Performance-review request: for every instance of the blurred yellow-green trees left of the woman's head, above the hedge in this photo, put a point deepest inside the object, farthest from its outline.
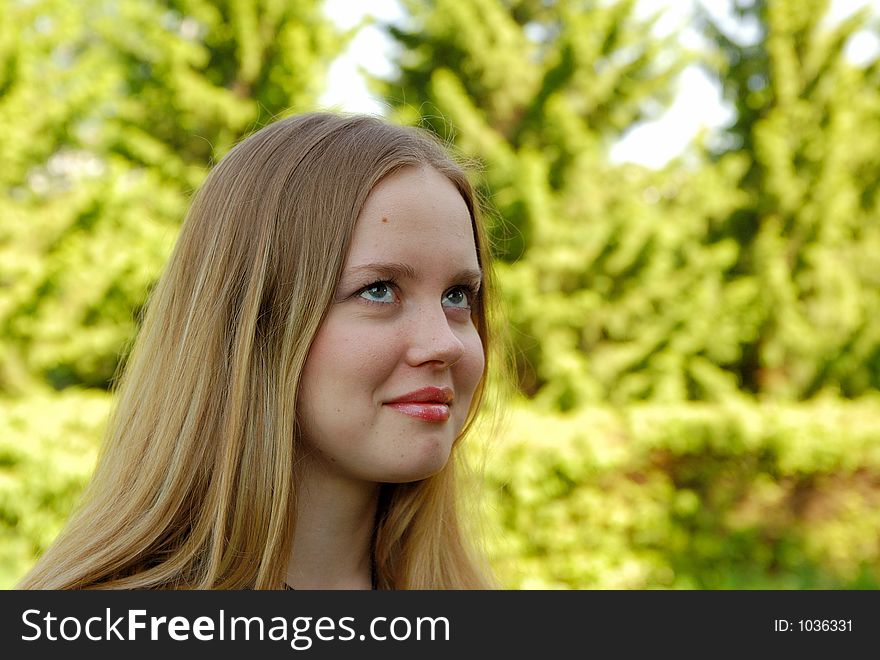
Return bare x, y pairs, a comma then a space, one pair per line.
111, 111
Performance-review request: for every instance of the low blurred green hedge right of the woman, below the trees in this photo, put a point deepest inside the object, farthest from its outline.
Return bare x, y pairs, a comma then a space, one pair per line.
706, 496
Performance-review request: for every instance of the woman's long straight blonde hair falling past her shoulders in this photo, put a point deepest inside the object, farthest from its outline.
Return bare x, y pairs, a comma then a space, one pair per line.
194, 487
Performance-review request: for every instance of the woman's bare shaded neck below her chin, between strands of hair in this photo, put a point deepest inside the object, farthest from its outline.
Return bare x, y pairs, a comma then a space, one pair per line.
332, 542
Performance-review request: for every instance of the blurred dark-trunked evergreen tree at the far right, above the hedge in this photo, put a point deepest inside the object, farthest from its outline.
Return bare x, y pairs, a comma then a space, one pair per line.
807, 135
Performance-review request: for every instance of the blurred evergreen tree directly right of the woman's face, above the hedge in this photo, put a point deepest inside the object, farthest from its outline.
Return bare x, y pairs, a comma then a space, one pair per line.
613, 284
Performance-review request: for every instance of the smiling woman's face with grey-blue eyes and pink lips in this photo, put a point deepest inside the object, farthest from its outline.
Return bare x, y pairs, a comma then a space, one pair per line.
393, 368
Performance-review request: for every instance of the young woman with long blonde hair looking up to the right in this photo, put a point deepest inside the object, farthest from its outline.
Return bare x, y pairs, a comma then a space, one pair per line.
308, 367
